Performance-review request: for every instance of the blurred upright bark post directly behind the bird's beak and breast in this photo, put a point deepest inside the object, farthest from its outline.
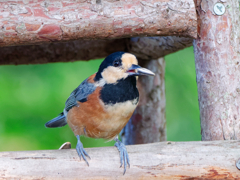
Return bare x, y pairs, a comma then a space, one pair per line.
148, 123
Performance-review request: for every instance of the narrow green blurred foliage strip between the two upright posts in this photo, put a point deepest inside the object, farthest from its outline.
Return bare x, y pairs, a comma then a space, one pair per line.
182, 111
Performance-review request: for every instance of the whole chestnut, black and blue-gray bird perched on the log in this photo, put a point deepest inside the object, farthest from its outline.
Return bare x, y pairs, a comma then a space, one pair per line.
102, 104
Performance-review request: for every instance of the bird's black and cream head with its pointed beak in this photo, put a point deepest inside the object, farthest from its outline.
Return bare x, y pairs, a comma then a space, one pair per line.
120, 65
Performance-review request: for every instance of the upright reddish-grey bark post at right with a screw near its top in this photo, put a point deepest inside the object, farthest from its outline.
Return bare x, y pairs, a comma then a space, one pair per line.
218, 70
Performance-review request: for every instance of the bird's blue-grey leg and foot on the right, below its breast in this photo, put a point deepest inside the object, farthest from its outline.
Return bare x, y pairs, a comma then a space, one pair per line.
124, 159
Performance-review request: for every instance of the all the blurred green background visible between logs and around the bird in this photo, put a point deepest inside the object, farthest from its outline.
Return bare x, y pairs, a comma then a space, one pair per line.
30, 95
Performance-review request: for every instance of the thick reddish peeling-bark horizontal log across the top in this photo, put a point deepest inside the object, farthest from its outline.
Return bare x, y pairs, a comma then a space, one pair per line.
31, 22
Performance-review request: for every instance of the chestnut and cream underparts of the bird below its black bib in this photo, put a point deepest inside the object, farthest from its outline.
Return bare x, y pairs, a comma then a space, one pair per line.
94, 119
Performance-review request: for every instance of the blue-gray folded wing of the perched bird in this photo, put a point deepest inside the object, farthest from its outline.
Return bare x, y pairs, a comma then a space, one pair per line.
80, 94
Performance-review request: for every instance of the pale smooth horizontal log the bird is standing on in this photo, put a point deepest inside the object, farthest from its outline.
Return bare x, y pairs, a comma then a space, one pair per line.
166, 160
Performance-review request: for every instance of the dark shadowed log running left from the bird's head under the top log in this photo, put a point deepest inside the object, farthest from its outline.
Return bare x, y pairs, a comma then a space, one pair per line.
60, 52
